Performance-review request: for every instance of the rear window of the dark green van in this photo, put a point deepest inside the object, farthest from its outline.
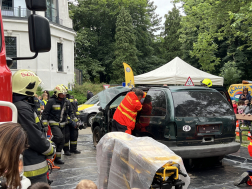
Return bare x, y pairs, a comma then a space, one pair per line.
200, 104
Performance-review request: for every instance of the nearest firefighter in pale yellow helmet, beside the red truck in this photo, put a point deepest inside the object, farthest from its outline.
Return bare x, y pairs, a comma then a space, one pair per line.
24, 86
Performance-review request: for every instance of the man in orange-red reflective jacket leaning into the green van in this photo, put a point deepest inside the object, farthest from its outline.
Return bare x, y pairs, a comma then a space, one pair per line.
125, 115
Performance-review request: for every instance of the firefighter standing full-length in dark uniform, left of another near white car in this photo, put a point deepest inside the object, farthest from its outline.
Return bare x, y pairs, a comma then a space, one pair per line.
55, 114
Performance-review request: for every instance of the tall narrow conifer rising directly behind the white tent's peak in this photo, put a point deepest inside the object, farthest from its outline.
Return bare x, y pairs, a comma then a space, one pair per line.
172, 46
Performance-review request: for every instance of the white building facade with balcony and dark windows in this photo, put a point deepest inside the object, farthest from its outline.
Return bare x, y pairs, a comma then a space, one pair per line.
54, 67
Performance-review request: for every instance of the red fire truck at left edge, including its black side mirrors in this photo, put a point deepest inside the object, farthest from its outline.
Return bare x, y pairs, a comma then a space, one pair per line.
40, 41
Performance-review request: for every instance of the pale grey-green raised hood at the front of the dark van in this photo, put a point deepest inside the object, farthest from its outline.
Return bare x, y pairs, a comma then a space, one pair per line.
107, 95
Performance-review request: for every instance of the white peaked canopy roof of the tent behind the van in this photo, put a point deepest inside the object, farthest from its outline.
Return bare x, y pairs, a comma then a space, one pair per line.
176, 72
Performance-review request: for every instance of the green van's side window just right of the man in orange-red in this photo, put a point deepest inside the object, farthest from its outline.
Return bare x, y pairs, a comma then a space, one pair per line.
156, 101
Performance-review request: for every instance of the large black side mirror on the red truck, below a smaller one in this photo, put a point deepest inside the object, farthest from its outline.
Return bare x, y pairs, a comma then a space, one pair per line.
39, 34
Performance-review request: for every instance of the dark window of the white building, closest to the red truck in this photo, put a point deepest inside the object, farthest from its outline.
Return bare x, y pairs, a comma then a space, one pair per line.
11, 49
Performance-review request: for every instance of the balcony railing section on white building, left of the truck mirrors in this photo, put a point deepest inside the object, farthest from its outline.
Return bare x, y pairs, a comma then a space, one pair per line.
15, 11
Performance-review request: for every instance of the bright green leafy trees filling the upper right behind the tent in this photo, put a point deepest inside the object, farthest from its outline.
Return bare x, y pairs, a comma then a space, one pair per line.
215, 33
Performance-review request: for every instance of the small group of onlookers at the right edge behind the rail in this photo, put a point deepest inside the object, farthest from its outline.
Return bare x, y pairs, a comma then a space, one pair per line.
244, 106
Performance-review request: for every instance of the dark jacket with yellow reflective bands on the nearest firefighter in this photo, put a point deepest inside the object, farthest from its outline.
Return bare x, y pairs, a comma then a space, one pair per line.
39, 147
